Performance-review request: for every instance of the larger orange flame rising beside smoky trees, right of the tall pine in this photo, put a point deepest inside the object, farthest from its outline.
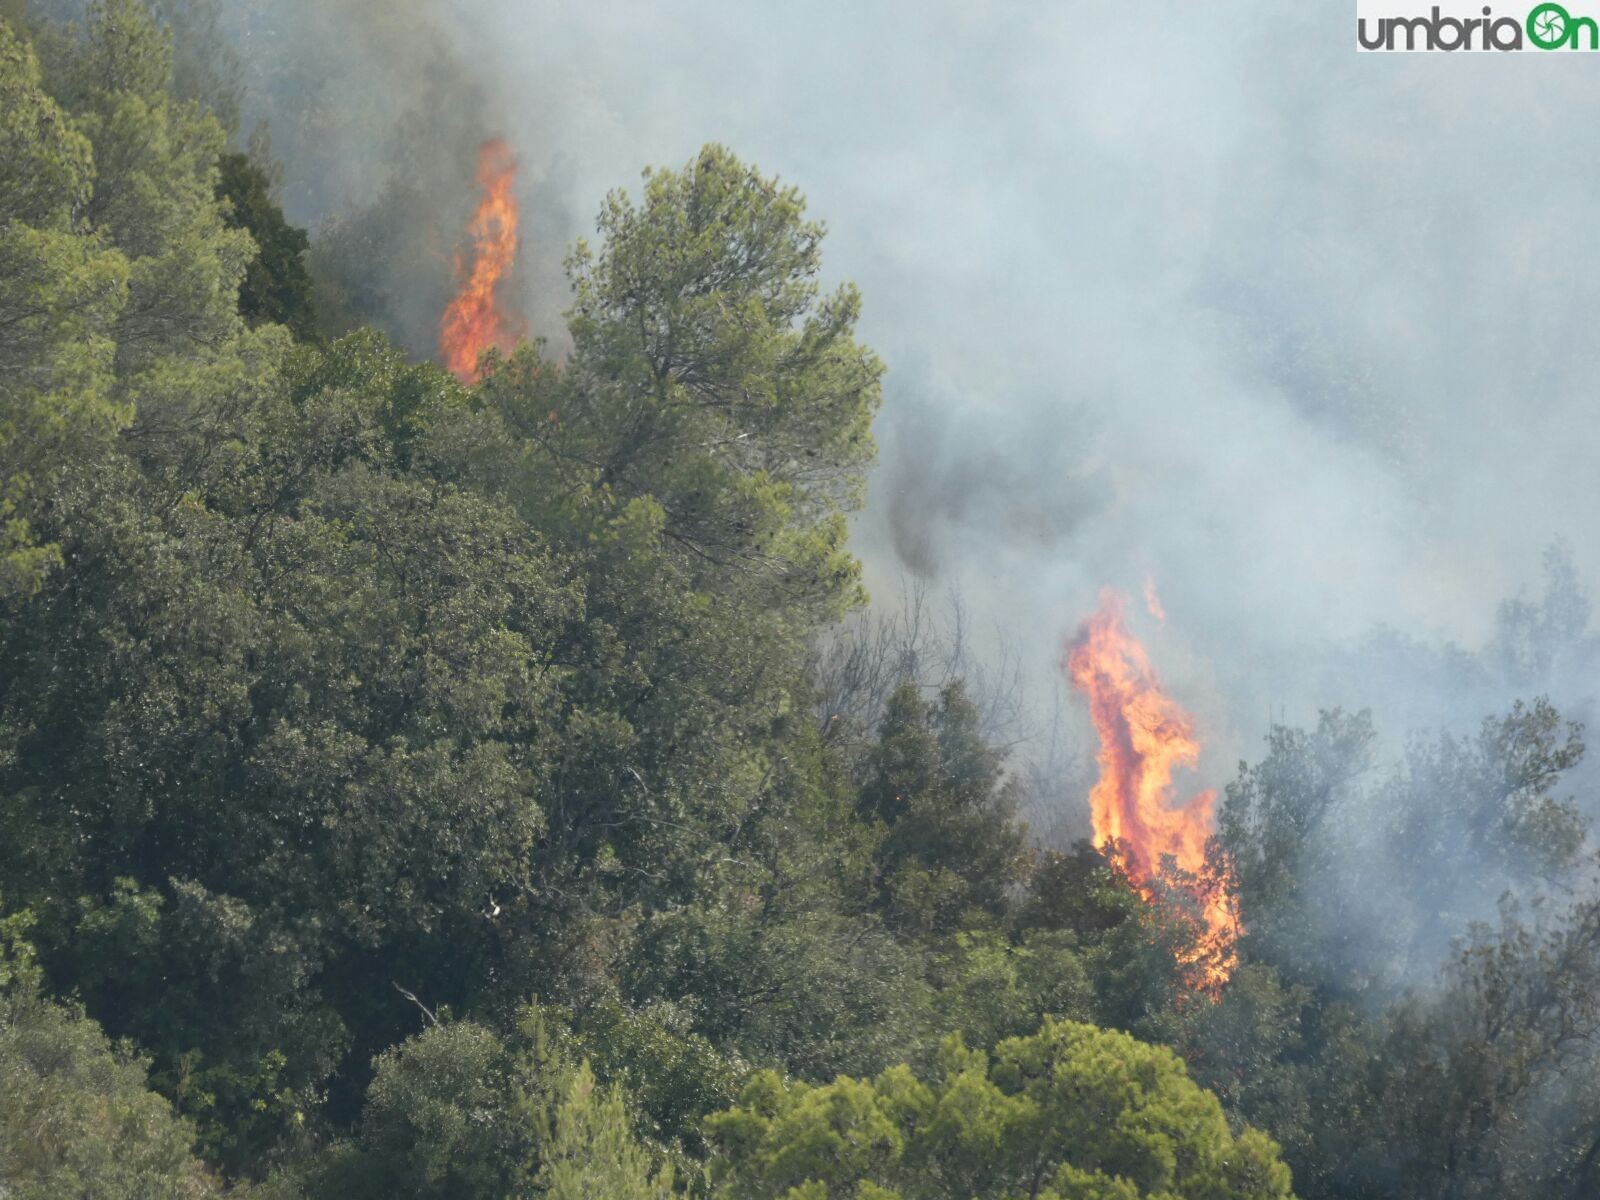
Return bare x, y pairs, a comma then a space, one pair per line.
1145, 735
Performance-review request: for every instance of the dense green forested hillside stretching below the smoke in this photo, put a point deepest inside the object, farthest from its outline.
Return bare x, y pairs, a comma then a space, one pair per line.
423, 790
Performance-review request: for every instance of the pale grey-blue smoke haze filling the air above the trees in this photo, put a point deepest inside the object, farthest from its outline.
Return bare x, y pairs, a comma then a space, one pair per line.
1193, 290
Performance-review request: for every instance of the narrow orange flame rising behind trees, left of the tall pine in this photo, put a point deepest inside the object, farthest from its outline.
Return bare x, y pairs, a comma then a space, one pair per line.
474, 321
